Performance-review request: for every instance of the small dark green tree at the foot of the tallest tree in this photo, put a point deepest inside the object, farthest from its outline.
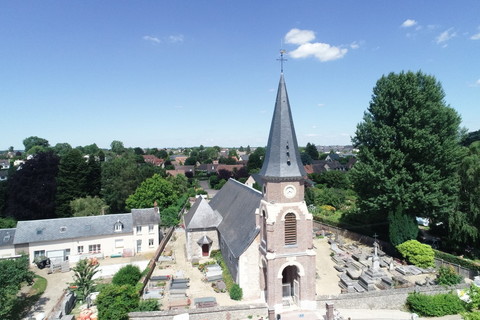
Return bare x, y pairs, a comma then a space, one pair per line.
402, 227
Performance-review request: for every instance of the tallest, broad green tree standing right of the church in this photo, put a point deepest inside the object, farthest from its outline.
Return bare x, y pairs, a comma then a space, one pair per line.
409, 151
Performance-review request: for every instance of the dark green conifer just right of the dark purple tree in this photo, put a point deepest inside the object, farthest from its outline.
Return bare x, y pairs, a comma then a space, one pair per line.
71, 182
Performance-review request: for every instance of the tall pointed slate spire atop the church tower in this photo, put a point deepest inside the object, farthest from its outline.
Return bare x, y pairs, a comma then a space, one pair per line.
282, 158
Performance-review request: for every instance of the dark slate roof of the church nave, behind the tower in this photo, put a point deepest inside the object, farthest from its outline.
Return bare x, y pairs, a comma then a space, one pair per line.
237, 204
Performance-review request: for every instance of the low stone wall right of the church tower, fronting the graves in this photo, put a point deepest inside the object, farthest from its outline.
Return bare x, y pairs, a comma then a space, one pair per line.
385, 299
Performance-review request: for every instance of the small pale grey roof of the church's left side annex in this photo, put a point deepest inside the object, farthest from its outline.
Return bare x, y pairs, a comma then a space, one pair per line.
202, 216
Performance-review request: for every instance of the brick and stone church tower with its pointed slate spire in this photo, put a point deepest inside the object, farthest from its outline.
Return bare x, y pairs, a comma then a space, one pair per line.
287, 258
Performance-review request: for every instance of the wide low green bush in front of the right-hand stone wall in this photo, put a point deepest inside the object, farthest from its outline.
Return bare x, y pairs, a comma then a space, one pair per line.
435, 305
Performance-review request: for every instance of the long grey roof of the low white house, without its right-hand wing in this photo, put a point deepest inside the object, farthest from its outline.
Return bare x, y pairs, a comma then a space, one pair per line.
68, 228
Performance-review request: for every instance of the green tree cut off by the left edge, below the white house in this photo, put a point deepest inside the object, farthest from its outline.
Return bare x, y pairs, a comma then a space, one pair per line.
13, 272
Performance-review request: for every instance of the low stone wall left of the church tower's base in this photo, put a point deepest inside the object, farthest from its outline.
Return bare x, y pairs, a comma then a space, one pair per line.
238, 312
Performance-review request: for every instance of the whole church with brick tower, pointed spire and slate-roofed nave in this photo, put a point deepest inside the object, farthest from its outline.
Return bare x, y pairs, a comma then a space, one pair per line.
265, 237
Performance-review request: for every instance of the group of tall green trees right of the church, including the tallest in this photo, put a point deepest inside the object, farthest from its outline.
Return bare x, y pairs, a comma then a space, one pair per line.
412, 163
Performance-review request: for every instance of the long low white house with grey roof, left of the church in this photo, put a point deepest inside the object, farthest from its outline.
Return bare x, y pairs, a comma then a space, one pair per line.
74, 238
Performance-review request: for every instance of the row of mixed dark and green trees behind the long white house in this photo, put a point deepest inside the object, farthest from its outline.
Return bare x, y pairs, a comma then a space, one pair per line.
53, 184
